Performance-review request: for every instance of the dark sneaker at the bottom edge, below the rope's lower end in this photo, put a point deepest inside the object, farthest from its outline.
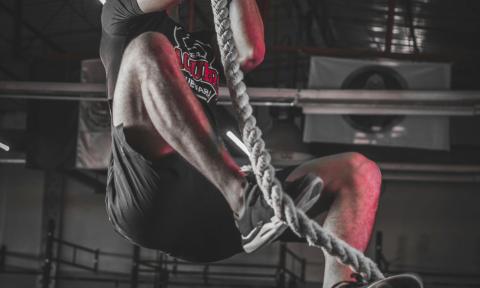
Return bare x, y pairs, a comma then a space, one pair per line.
396, 281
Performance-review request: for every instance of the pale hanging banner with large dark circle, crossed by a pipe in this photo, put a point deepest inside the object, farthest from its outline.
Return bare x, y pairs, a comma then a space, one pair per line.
426, 132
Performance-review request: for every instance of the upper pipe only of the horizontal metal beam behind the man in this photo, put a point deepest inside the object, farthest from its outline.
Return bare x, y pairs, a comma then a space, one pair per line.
39, 90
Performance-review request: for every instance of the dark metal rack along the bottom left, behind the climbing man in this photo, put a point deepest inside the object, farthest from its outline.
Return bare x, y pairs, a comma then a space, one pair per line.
163, 271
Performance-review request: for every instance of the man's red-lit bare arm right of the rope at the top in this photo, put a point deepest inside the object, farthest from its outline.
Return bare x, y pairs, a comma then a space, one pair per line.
247, 27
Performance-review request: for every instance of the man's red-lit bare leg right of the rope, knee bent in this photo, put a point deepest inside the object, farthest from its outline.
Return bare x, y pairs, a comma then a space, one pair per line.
352, 188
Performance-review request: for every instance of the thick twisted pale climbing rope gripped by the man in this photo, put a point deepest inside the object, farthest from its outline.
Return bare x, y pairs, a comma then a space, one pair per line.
260, 159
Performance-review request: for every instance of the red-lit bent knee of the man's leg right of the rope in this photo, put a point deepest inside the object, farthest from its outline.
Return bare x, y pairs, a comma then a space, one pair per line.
363, 175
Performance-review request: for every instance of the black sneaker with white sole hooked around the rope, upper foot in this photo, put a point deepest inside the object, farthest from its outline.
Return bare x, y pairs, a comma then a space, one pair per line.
258, 224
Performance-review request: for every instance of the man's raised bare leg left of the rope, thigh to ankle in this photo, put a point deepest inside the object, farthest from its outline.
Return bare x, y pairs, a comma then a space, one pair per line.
160, 115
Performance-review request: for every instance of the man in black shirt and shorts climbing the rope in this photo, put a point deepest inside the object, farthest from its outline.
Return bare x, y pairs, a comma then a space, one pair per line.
172, 184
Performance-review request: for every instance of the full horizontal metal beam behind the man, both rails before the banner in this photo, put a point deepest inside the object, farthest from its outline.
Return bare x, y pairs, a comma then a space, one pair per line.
371, 102
